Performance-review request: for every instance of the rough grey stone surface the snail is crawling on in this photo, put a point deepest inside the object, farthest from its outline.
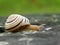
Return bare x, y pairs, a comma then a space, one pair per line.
49, 35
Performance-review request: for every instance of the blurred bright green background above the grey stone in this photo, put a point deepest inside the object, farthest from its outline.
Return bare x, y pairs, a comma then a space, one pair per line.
8, 7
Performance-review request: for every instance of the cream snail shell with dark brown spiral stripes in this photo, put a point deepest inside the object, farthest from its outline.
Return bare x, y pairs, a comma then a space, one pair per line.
15, 21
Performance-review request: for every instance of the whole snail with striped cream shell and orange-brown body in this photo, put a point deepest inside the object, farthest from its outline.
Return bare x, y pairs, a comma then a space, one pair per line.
17, 23
